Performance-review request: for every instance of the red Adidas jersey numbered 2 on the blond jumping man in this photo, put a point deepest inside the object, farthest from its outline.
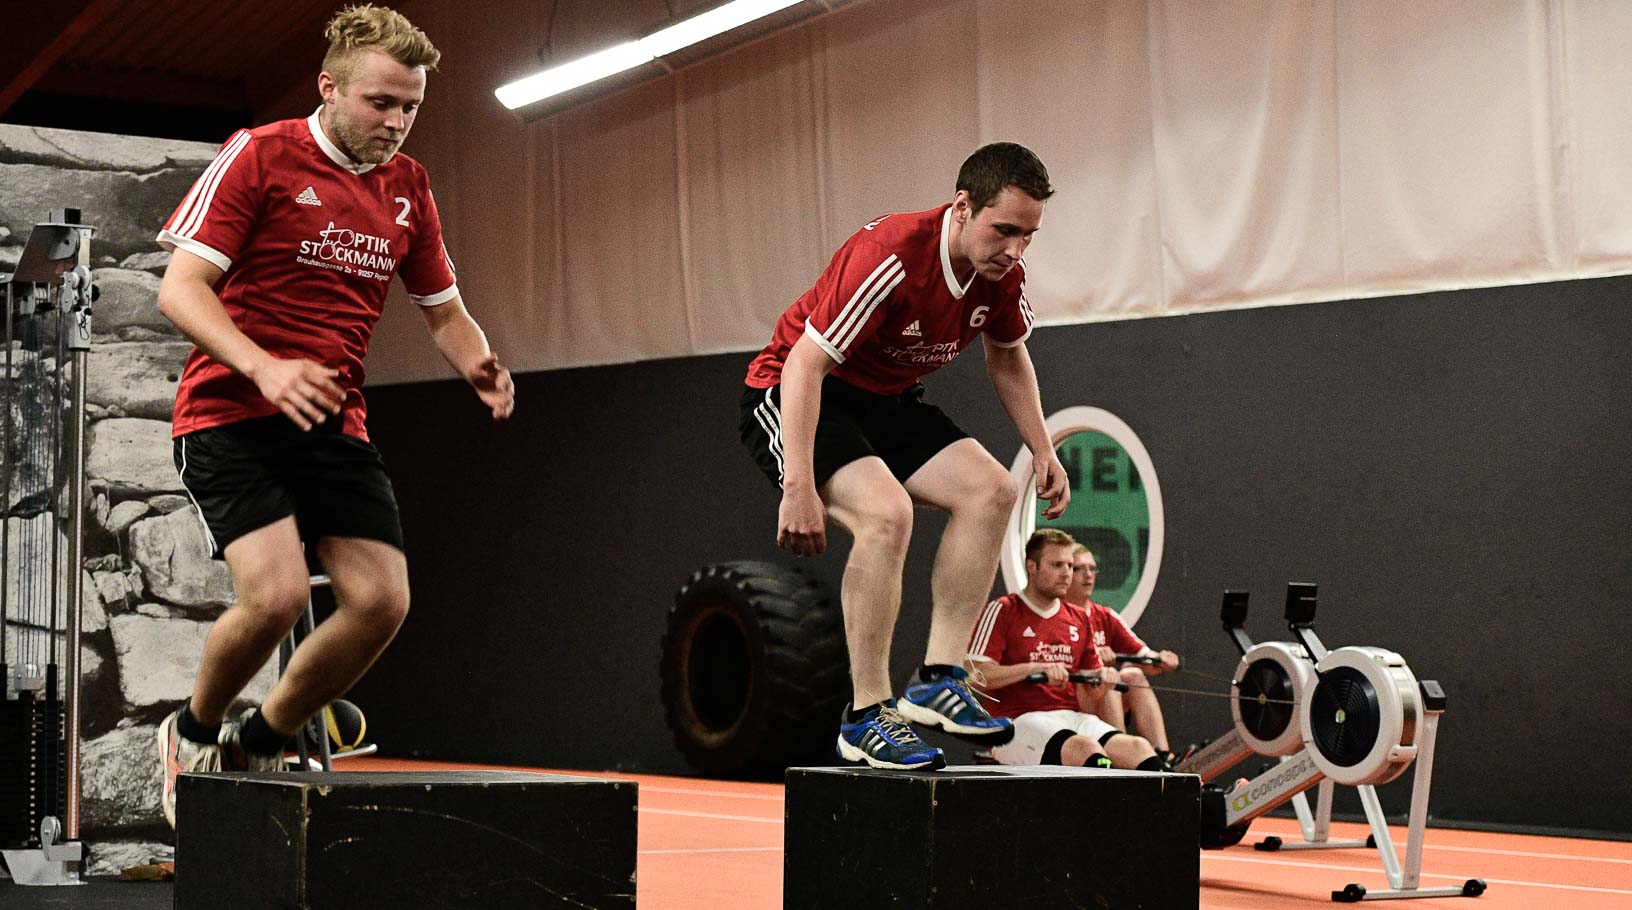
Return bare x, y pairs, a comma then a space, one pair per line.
309, 242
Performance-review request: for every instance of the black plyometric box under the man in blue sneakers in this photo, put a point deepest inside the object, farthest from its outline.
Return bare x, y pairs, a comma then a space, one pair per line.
991, 837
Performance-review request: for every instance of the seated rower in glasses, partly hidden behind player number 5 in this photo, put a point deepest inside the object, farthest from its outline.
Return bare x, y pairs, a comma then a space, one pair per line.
1112, 638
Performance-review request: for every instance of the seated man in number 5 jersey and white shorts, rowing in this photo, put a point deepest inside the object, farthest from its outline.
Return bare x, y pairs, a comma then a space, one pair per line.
1037, 634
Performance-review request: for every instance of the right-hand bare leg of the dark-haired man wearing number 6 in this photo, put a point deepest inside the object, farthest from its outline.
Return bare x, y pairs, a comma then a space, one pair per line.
978, 493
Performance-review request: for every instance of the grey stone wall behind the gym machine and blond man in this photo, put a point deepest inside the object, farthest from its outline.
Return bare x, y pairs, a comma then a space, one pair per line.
151, 588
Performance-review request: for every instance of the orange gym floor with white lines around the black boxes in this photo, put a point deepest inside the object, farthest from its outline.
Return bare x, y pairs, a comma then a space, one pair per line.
717, 846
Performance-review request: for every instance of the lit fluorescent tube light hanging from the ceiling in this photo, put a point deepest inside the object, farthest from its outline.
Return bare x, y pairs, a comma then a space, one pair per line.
632, 55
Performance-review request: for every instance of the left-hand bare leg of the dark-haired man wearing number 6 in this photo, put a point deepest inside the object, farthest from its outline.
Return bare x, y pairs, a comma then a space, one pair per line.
867, 500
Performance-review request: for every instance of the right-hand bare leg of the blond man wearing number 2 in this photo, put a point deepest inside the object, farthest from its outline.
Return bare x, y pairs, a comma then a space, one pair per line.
371, 593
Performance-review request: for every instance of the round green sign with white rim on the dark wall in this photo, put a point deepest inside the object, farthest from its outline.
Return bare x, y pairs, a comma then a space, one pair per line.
1115, 508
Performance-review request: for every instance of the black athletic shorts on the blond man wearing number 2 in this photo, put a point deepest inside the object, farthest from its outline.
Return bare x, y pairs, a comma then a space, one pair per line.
247, 475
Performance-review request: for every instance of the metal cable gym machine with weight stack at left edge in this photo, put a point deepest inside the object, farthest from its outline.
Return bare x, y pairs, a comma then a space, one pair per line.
40, 712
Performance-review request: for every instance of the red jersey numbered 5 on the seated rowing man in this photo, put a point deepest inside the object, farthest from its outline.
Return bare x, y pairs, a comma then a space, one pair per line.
1014, 632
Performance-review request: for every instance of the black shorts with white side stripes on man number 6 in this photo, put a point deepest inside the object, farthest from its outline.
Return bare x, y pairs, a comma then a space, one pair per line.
902, 430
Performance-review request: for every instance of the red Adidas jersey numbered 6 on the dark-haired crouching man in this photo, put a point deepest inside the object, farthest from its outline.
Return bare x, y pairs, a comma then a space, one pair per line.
890, 311
